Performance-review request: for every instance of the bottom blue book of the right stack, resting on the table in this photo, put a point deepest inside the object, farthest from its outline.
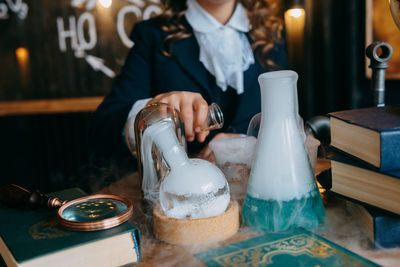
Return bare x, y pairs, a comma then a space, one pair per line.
383, 230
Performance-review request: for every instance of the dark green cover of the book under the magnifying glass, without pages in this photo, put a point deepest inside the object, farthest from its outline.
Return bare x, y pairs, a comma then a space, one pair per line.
29, 234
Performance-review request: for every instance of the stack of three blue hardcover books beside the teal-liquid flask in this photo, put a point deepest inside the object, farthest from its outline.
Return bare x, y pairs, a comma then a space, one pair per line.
365, 168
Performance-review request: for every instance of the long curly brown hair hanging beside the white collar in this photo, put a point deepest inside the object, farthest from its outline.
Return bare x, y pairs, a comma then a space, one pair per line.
263, 15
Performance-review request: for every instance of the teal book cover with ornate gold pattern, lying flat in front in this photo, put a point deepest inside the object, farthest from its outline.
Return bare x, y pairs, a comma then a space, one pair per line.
296, 247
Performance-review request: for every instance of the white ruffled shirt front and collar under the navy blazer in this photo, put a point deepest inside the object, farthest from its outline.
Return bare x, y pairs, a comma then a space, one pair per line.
224, 49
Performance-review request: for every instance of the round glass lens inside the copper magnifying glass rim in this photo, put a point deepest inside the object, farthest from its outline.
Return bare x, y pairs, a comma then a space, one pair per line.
93, 210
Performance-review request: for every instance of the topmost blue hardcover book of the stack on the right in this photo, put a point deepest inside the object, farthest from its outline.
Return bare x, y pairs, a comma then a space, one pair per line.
371, 135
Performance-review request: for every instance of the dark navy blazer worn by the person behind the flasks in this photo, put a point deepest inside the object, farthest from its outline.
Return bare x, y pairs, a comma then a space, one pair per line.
147, 73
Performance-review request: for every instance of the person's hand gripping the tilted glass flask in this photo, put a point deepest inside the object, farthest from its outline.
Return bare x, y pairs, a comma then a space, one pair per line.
192, 110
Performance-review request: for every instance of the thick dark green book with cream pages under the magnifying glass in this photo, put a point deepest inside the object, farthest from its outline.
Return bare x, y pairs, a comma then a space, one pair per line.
34, 238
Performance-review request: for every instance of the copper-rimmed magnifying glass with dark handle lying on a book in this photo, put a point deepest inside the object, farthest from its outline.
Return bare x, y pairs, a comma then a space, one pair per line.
90, 213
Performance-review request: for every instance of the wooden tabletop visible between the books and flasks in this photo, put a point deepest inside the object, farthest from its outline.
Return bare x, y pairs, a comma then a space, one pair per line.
339, 227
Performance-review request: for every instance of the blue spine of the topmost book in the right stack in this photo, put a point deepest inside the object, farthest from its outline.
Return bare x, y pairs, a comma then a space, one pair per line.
390, 146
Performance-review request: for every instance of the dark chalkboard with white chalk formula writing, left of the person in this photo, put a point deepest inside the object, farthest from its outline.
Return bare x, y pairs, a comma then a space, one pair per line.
72, 48
